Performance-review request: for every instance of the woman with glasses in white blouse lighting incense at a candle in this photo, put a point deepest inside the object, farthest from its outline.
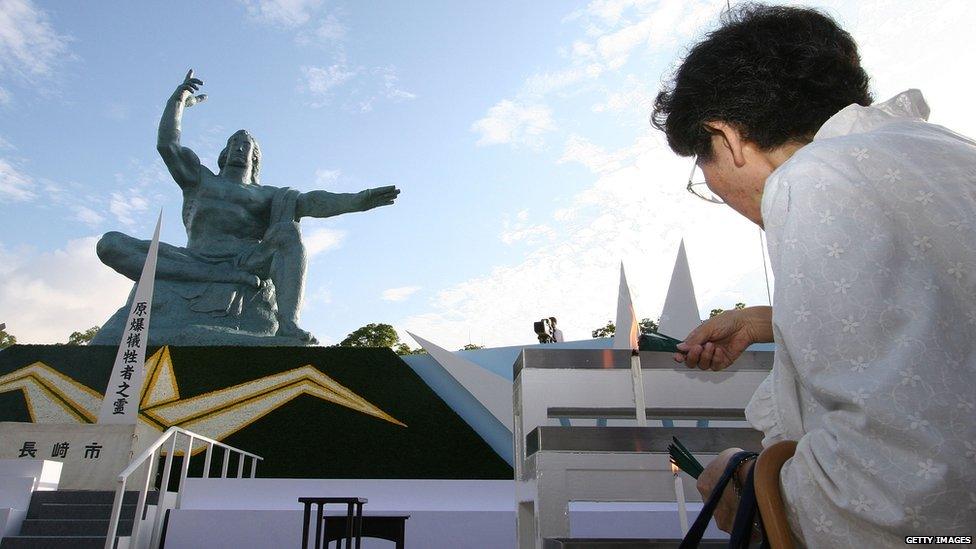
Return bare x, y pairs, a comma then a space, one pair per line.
870, 218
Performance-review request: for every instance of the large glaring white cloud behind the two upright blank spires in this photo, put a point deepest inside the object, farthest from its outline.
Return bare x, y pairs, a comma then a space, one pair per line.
637, 214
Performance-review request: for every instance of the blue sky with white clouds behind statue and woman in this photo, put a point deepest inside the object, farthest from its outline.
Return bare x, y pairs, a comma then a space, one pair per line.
517, 132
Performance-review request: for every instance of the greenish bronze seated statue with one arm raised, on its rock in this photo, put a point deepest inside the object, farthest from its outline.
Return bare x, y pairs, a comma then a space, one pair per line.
241, 277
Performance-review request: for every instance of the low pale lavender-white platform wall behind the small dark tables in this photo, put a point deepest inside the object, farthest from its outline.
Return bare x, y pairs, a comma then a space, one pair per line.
449, 514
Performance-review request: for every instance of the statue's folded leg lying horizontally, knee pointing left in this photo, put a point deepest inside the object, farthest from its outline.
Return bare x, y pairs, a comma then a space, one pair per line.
127, 255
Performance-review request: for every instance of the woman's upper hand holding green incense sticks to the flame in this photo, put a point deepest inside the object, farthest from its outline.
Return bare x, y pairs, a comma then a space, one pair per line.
720, 340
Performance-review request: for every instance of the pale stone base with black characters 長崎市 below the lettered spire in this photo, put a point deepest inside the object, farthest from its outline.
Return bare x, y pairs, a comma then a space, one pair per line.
92, 456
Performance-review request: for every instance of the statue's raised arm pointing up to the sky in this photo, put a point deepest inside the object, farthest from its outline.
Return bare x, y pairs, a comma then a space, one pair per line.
183, 163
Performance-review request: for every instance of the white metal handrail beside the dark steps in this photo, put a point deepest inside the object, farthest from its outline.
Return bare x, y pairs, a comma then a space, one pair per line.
148, 455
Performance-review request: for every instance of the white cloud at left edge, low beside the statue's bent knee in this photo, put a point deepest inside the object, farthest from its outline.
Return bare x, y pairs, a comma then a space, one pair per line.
46, 296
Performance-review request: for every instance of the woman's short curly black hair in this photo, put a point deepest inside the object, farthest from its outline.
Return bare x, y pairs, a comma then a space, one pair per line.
776, 73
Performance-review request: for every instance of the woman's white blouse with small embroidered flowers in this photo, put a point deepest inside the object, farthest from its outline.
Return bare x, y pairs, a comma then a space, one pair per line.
872, 237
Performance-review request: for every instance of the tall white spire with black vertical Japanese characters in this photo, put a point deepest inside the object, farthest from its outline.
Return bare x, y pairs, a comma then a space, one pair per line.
121, 401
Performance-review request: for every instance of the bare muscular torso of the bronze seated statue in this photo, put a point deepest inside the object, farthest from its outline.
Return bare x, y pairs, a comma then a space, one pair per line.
225, 218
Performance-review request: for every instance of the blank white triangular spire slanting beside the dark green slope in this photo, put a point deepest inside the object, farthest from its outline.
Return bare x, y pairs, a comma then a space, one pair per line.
491, 390
